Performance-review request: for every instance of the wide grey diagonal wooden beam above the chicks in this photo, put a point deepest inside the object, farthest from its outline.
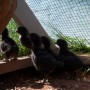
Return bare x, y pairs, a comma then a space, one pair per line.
24, 16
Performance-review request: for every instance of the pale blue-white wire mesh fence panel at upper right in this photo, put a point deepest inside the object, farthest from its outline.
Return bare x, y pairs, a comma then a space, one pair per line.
70, 18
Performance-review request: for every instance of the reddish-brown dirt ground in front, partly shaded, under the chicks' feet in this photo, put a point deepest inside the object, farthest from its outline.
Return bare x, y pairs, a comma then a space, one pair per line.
28, 79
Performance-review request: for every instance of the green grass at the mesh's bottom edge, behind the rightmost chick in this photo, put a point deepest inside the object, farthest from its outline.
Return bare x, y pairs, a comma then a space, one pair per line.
75, 44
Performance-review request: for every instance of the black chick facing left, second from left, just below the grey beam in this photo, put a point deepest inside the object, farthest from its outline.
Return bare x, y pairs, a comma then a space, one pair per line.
25, 38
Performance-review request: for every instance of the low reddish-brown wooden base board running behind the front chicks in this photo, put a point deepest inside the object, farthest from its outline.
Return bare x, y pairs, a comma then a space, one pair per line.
25, 62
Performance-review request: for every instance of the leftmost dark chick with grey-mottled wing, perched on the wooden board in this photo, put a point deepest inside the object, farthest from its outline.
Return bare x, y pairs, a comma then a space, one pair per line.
8, 46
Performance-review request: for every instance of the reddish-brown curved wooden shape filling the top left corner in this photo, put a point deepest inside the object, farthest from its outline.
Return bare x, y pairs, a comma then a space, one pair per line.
7, 8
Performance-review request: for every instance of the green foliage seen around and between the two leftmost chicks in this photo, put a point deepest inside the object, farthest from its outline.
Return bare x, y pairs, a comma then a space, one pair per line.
12, 27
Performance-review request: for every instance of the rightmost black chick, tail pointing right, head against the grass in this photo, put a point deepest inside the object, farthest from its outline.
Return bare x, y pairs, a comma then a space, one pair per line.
72, 62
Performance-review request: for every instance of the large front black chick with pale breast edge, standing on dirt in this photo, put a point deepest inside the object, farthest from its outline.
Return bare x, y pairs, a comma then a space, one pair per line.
43, 60
